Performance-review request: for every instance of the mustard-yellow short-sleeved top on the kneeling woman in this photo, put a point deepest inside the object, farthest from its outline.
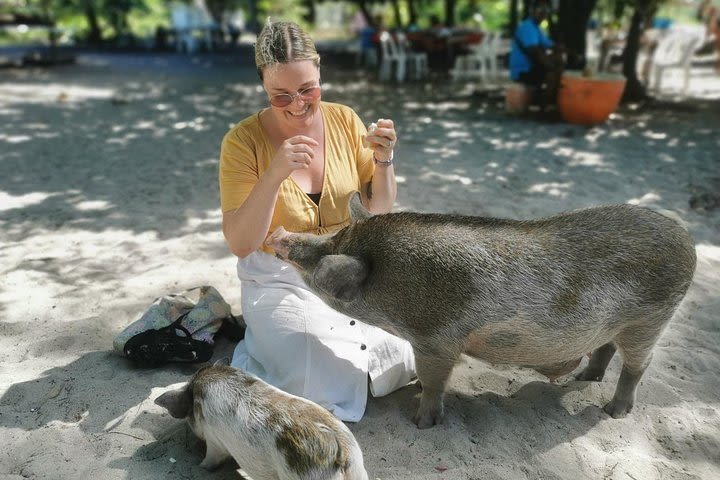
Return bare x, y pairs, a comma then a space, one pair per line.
247, 152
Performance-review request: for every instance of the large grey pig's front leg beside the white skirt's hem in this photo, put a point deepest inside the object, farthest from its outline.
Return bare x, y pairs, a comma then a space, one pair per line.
433, 370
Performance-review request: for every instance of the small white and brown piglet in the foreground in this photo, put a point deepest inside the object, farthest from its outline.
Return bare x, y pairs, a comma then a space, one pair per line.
271, 434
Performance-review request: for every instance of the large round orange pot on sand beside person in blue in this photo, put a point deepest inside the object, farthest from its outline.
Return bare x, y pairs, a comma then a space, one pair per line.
589, 100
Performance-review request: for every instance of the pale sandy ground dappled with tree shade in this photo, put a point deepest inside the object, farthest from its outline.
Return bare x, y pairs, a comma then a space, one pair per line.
109, 199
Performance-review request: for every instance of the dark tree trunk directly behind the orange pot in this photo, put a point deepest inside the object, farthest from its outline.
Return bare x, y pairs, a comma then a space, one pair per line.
571, 30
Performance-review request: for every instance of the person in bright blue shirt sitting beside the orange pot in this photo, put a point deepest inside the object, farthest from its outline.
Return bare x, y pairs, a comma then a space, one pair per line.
534, 59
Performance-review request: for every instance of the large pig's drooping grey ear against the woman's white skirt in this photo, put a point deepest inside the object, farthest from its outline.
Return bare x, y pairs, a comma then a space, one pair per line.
340, 276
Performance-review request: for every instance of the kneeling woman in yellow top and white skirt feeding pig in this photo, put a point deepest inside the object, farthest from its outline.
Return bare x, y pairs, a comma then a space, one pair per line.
296, 164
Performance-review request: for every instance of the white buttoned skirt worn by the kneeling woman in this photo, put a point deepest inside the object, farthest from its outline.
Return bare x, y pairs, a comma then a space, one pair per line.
297, 343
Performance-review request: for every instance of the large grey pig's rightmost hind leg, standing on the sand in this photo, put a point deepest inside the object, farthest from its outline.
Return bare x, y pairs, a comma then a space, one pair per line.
635, 346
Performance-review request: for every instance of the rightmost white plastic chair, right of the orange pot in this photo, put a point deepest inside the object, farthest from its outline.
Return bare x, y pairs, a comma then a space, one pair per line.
675, 50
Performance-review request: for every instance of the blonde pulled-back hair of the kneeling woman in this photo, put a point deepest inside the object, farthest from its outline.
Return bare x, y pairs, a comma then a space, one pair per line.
283, 42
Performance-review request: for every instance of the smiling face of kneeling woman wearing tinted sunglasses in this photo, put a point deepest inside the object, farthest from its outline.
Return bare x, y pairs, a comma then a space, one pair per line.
291, 79
